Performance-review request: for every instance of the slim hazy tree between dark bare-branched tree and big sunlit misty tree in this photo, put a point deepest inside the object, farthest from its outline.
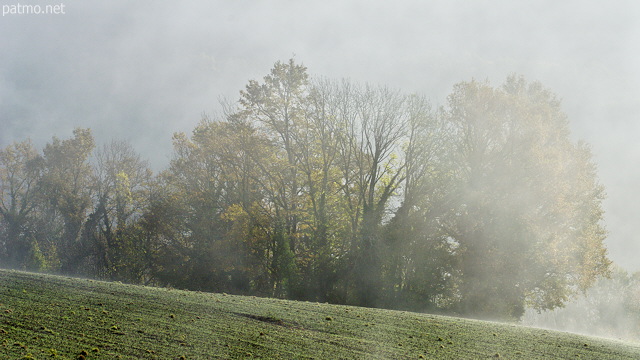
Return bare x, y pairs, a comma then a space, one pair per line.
419, 266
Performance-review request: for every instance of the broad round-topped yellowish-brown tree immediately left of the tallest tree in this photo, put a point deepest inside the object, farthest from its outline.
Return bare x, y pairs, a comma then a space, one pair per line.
216, 185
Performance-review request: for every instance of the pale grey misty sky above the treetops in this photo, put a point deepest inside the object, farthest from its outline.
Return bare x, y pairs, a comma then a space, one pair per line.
142, 70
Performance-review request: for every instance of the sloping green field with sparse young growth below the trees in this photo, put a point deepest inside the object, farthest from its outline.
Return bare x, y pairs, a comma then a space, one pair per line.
52, 317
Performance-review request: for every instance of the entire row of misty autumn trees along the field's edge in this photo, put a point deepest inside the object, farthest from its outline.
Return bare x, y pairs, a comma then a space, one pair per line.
328, 191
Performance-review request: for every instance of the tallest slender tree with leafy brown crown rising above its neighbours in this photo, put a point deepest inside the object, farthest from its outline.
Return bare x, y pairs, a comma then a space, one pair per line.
277, 107
